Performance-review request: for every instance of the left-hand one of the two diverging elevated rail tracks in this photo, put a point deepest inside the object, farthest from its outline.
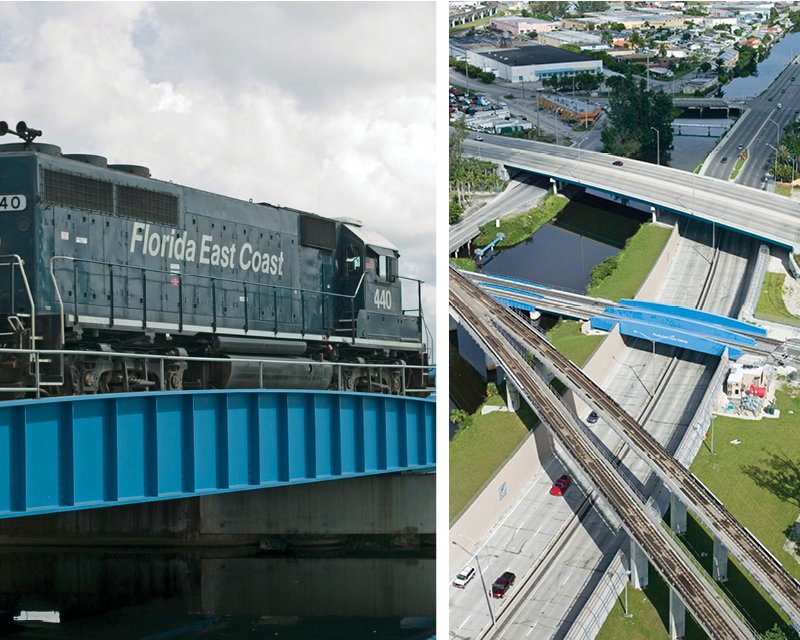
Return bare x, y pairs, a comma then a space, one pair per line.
667, 555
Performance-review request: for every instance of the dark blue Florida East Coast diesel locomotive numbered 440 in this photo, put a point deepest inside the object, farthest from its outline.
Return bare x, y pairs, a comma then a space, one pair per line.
98, 260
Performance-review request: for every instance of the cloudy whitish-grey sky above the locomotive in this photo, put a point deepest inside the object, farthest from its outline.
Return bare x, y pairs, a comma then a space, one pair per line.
326, 107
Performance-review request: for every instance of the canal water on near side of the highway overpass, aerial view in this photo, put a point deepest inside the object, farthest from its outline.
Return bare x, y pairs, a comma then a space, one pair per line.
560, 254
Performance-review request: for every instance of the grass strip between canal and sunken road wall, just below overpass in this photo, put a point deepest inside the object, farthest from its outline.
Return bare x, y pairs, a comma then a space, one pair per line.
633, 263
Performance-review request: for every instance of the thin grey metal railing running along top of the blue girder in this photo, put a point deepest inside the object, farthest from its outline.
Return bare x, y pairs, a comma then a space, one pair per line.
38, 353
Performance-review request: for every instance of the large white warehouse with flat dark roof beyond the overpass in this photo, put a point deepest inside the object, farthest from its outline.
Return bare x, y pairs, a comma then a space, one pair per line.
530, 64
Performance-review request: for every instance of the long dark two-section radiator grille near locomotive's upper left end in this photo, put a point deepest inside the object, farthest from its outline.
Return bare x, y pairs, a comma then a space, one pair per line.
89, 194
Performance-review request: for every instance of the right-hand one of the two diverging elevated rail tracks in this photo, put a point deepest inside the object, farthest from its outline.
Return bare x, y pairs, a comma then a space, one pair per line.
745, 547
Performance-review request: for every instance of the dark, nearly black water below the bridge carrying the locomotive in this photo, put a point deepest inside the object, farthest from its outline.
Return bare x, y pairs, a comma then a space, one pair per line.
61, 593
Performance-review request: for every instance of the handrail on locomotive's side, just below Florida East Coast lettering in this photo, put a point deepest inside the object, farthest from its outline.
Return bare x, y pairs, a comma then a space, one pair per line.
180, 277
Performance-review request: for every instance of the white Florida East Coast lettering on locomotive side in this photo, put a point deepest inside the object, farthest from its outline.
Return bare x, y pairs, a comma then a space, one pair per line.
175, 246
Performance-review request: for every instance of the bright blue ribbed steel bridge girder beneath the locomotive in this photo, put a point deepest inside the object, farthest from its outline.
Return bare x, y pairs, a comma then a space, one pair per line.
63, 454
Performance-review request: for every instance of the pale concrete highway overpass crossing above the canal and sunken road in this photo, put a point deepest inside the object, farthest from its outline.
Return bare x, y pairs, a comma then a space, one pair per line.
766, 215
